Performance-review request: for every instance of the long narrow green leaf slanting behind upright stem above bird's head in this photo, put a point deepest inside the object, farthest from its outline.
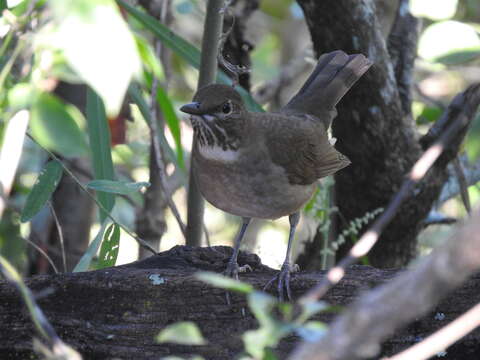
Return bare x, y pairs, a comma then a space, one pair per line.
183, 48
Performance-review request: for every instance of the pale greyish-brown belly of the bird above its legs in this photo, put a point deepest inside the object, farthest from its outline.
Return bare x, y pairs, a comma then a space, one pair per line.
253, 189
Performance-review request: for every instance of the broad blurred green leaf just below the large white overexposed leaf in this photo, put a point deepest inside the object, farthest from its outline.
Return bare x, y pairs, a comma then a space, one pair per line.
53, 125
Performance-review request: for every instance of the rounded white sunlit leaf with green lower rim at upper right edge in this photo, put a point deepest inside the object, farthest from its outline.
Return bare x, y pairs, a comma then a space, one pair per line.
446, 40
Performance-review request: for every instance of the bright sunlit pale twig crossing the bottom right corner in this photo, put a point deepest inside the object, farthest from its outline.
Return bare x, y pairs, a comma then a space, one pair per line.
443, 338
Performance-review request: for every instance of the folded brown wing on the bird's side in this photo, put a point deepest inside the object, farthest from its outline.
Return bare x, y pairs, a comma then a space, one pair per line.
301, 146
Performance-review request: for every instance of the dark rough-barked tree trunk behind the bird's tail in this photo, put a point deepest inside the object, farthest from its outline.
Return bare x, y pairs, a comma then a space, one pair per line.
374, 126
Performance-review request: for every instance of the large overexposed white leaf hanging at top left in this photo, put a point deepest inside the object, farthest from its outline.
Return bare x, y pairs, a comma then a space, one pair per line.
98, 45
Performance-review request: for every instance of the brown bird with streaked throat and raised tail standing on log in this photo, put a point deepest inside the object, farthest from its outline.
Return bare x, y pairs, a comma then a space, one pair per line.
266, 164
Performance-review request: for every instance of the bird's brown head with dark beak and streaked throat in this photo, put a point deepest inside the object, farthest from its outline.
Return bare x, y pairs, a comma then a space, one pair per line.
218, 116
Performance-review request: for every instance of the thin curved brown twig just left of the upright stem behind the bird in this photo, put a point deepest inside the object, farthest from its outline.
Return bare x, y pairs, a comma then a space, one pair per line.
159, 158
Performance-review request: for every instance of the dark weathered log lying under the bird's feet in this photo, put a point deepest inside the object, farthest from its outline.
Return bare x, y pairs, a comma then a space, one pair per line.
117, 312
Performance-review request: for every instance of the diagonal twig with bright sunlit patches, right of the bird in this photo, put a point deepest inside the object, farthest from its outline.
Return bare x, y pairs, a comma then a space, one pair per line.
419, 169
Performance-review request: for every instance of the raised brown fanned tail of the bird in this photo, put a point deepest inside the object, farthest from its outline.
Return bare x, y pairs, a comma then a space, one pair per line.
334, 75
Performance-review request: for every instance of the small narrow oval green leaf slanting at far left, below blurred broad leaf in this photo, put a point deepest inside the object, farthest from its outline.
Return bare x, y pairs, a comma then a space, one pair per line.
43, 188
